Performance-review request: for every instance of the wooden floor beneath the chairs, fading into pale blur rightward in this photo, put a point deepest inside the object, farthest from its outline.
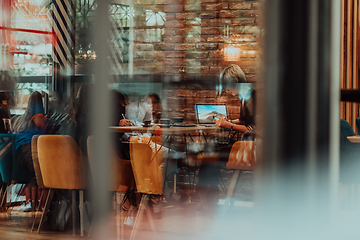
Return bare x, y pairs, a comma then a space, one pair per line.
179, 221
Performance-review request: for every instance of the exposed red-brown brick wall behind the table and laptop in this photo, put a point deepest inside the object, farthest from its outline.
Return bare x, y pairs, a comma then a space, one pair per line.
191, 41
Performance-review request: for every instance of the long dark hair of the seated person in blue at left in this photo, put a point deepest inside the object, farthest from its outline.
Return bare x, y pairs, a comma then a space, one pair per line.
35, 106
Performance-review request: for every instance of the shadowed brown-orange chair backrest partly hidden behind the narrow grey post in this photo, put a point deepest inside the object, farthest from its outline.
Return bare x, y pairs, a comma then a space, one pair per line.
121, 177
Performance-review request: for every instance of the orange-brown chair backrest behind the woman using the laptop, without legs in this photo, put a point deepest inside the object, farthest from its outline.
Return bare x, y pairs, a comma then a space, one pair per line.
242, 156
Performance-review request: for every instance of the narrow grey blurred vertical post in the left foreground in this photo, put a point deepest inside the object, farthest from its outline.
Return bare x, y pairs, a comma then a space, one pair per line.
100, 121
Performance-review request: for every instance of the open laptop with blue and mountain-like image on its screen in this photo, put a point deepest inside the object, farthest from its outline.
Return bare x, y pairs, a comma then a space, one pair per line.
206, 113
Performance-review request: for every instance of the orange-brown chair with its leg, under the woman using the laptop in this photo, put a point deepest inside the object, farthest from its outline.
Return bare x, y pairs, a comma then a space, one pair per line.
242, 157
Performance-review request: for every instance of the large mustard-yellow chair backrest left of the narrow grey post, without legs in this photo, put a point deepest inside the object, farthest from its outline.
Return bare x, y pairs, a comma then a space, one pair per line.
61, 162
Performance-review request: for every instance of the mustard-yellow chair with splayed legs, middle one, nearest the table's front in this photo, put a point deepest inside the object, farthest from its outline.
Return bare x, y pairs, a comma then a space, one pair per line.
149, 177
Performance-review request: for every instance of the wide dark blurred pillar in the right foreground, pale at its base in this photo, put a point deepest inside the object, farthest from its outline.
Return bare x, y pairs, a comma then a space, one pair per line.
297, 175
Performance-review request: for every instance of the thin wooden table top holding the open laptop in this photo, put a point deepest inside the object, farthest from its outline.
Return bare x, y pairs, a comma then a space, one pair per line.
172, 130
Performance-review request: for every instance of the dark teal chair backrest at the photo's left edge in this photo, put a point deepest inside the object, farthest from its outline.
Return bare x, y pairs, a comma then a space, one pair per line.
7, 152
